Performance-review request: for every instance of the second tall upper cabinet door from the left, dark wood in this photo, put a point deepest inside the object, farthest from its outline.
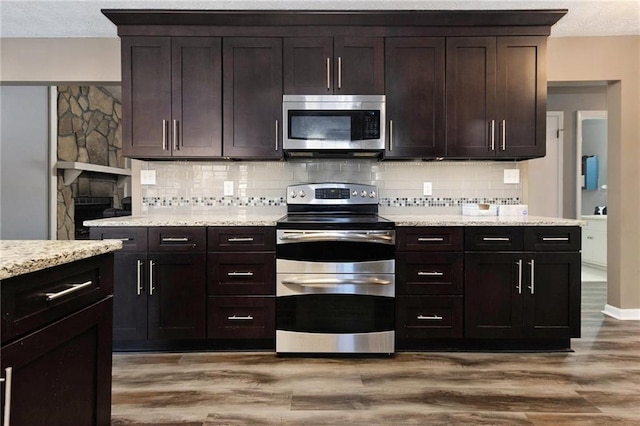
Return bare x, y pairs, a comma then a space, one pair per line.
196, 126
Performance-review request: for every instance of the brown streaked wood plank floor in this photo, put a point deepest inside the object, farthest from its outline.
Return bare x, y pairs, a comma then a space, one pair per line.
597, 384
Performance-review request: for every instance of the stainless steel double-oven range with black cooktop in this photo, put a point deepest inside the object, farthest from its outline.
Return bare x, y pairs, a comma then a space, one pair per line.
335, 279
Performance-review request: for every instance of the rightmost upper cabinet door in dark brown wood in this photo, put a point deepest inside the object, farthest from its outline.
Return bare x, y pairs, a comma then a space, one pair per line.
521, 97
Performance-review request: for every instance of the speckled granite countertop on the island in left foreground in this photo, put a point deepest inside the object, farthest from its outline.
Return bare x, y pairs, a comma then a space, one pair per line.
19, 257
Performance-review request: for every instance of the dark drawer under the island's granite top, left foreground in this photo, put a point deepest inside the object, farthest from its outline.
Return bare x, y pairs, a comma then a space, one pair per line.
33, 300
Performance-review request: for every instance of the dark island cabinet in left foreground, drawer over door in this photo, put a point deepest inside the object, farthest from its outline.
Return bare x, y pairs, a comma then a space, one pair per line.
56, 345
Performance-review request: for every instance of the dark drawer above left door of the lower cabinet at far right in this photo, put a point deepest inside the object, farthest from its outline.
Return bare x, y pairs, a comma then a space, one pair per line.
493, 238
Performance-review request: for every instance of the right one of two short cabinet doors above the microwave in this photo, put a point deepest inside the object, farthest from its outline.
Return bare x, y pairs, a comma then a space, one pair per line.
359, 66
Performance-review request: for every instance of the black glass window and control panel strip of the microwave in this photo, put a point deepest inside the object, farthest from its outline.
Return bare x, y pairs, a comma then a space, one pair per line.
322, 125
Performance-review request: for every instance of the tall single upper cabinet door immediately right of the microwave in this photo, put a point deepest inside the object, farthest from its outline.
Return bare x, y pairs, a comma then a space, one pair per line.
414, 76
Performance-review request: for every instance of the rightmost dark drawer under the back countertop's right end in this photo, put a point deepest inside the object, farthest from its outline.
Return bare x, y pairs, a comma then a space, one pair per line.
552, 238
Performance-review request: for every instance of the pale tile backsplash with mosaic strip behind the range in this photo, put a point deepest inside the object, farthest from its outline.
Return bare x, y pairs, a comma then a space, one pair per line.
198, 187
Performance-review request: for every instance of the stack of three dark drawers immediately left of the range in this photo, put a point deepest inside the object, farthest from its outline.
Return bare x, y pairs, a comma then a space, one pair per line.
241, 286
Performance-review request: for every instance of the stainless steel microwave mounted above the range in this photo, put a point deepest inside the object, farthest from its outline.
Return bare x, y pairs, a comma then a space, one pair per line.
339, 125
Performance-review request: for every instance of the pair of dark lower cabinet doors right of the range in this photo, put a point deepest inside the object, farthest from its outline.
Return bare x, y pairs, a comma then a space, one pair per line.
522, 295
